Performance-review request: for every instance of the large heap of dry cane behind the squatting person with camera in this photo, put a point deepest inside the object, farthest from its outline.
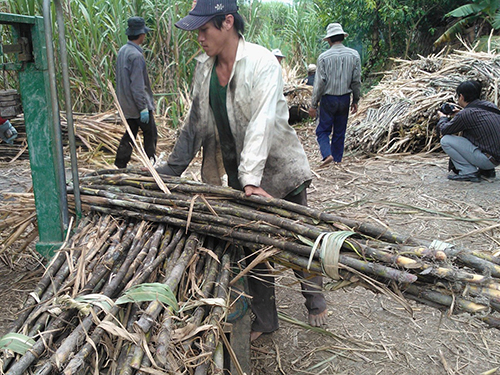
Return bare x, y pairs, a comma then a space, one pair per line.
399, 114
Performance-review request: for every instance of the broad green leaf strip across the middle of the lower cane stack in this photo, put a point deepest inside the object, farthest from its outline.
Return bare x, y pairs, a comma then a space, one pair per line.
148, 292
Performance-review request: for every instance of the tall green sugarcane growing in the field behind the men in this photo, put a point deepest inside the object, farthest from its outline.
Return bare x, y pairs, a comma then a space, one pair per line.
95, 31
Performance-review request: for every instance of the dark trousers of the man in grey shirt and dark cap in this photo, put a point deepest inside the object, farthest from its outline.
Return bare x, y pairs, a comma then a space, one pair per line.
150, 134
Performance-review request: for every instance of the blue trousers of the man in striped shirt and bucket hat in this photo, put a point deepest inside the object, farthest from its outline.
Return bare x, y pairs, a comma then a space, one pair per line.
333, 115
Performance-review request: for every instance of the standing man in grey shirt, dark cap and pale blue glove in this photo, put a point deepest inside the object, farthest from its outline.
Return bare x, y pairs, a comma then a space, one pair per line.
134, 93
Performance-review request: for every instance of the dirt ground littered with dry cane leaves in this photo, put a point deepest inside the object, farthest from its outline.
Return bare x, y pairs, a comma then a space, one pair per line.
366, 333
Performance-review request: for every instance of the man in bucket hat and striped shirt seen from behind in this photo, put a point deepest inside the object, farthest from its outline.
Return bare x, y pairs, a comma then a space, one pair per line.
338, 75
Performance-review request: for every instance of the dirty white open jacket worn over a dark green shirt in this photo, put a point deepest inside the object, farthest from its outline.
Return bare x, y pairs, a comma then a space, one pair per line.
269, 152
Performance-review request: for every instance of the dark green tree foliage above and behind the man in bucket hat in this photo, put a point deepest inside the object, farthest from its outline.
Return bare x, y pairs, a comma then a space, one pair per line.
380, 29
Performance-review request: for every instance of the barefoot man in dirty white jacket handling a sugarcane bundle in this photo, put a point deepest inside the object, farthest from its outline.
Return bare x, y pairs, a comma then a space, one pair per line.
239, 117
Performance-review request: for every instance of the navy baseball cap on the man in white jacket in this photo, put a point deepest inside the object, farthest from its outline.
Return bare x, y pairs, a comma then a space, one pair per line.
203, 11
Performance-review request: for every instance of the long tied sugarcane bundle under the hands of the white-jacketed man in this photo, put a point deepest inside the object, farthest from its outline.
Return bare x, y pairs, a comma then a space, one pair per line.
307, 238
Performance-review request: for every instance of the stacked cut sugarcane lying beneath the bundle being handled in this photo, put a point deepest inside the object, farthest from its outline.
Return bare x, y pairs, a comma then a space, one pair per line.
125, 296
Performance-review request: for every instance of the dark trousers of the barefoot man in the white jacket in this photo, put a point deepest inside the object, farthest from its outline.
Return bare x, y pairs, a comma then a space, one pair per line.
261, 288
